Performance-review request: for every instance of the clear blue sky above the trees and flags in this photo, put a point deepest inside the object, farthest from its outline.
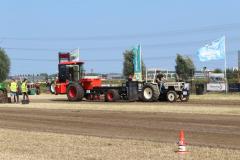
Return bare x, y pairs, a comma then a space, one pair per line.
32, 32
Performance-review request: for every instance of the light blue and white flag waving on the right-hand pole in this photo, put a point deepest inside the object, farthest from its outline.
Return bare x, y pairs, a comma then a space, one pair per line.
213, 51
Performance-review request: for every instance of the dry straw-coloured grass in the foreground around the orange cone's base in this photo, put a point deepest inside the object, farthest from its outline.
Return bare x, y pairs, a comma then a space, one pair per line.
24, 145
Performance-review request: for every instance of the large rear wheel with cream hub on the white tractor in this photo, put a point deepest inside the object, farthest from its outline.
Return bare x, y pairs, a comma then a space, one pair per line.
150, 93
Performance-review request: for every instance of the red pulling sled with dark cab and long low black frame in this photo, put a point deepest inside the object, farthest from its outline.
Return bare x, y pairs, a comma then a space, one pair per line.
71, 81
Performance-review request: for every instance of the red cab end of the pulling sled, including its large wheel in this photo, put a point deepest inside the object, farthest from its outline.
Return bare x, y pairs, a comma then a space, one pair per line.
71, 78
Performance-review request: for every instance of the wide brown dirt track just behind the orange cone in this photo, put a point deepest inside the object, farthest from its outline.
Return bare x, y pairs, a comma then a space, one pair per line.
204, 130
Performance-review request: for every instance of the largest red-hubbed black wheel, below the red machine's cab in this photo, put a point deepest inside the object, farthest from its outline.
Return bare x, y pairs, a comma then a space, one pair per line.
75, 92
